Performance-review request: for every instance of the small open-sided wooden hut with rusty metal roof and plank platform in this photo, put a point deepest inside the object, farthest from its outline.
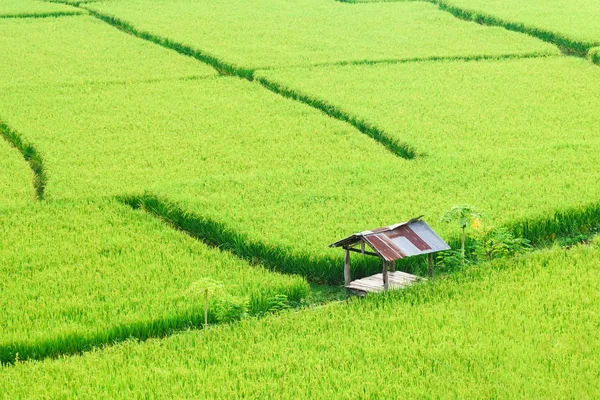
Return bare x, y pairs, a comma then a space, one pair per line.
391, 243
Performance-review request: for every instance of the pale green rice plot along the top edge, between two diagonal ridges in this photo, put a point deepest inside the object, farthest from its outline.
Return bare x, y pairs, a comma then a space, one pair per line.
313, 31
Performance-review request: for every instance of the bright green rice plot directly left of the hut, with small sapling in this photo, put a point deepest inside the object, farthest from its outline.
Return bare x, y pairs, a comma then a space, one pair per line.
88, 274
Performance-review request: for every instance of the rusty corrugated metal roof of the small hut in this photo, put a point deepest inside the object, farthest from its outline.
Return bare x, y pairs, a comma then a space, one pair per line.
406, 239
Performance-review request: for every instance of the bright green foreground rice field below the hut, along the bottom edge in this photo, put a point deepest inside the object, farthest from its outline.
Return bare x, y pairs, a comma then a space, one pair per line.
512, 328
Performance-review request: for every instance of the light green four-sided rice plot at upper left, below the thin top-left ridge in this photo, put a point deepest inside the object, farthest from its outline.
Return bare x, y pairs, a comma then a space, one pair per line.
54, 51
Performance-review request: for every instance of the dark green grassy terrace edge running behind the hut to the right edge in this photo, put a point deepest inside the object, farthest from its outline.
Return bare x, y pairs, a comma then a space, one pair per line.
570, 225
